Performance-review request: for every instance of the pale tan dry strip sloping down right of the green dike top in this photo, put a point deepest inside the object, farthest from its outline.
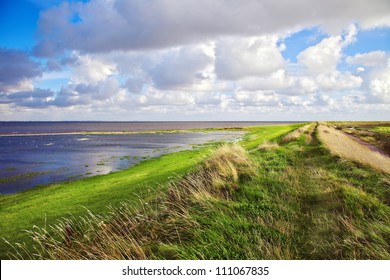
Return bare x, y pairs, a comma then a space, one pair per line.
343, 146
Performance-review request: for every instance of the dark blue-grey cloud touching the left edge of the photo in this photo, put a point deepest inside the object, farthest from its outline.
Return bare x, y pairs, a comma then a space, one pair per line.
16, 70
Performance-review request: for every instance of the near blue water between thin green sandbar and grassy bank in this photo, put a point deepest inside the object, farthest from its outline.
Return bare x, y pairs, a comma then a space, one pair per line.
28, 161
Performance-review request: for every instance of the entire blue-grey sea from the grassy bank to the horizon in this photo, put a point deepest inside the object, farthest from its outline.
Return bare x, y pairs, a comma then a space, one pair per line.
39, 153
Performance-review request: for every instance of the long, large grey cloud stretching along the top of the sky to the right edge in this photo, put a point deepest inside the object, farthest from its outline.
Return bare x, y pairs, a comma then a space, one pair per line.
129, 25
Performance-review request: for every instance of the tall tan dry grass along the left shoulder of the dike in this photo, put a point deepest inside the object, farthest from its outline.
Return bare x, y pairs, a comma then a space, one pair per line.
140, 231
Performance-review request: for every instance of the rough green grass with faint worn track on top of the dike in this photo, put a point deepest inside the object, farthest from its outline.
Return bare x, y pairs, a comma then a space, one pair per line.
303, 204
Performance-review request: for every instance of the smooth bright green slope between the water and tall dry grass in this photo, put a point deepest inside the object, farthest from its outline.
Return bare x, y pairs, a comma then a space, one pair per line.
47, 204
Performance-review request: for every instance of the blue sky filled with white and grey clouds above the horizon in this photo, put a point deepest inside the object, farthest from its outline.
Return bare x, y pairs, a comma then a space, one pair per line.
187, 60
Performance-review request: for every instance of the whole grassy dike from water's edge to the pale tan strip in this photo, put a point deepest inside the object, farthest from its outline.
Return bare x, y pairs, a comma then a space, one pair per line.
298, 193
